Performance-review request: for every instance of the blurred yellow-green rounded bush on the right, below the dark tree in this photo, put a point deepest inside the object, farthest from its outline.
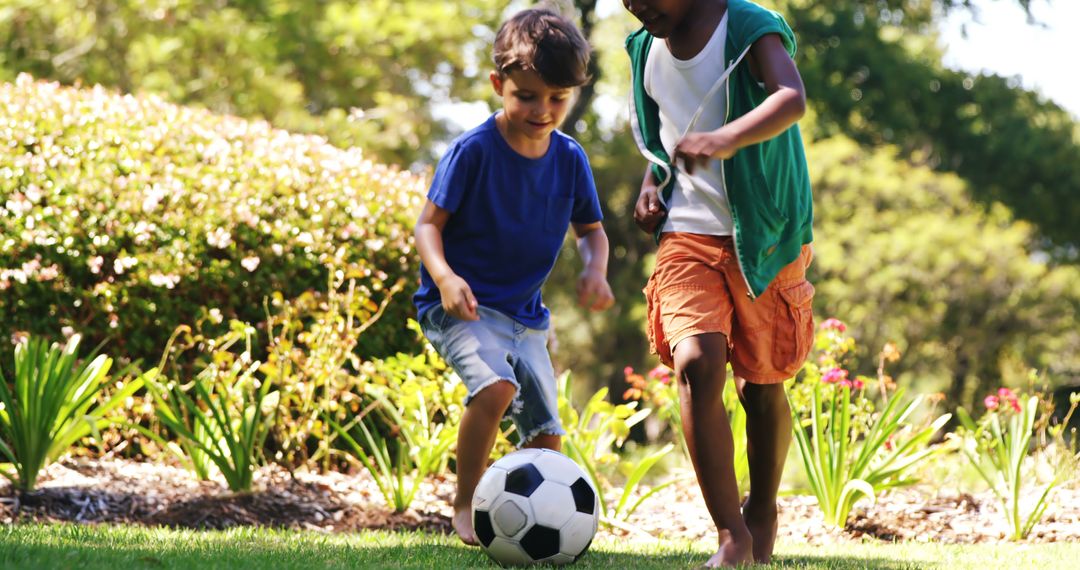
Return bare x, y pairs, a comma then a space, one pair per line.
903, 256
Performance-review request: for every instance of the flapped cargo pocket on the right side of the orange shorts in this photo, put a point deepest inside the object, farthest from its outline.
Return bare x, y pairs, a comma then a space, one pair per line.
793, 332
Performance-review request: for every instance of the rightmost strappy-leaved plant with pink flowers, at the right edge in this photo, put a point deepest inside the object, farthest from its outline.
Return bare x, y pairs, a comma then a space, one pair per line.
1000, 446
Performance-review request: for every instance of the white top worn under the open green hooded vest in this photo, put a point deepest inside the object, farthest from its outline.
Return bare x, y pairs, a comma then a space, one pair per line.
699, 203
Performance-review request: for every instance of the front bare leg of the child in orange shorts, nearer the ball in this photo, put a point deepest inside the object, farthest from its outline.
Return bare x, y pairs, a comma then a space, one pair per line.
701, 370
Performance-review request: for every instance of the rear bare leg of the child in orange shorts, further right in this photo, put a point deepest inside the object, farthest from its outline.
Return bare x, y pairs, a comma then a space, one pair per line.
768, 439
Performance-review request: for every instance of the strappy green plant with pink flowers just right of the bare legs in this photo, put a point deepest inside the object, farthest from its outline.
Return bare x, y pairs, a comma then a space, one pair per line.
849, 449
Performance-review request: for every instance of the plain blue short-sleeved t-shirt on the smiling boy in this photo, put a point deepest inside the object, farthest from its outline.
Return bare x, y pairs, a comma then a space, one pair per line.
509, 216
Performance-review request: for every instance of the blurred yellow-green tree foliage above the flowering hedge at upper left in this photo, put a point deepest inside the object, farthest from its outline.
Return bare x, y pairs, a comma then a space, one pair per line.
362, 74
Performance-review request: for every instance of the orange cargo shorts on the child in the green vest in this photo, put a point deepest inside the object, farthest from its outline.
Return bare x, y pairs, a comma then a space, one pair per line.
697, 289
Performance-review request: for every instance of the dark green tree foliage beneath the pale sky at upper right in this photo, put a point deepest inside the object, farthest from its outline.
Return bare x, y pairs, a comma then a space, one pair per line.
873, 72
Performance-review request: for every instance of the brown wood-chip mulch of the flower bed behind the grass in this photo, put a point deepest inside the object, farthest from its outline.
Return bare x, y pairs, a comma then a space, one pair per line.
123, 492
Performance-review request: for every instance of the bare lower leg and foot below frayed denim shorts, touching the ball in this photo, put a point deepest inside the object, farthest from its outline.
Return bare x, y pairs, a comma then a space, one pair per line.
480, 426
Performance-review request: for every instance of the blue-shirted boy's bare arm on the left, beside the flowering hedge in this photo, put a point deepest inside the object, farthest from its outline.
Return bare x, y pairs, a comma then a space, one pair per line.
458, 300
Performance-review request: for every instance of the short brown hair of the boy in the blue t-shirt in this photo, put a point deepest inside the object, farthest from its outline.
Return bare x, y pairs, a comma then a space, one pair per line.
543, 42
